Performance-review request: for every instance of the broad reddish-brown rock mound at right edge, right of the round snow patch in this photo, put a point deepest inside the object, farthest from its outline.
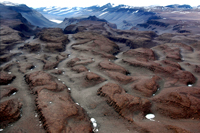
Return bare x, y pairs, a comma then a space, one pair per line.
178, 102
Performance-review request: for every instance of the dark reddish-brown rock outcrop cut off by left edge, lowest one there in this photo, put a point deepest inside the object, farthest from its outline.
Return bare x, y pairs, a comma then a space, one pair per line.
9, 112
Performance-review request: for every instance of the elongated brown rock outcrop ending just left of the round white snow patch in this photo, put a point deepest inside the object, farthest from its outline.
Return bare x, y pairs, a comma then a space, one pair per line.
126, 105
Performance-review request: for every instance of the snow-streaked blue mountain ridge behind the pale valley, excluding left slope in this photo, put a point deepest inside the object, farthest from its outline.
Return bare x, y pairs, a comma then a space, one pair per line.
124, 16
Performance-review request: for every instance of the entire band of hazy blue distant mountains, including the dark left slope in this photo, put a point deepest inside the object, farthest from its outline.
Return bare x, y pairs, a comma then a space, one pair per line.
122, 16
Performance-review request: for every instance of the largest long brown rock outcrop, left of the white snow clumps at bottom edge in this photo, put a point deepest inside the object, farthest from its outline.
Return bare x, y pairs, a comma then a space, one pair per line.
57, 110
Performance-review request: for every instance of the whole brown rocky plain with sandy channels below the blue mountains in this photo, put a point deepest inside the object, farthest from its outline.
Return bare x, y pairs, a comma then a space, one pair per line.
85, 82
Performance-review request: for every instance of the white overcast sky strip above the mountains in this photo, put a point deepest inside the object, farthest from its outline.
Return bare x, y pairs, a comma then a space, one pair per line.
86, 3
